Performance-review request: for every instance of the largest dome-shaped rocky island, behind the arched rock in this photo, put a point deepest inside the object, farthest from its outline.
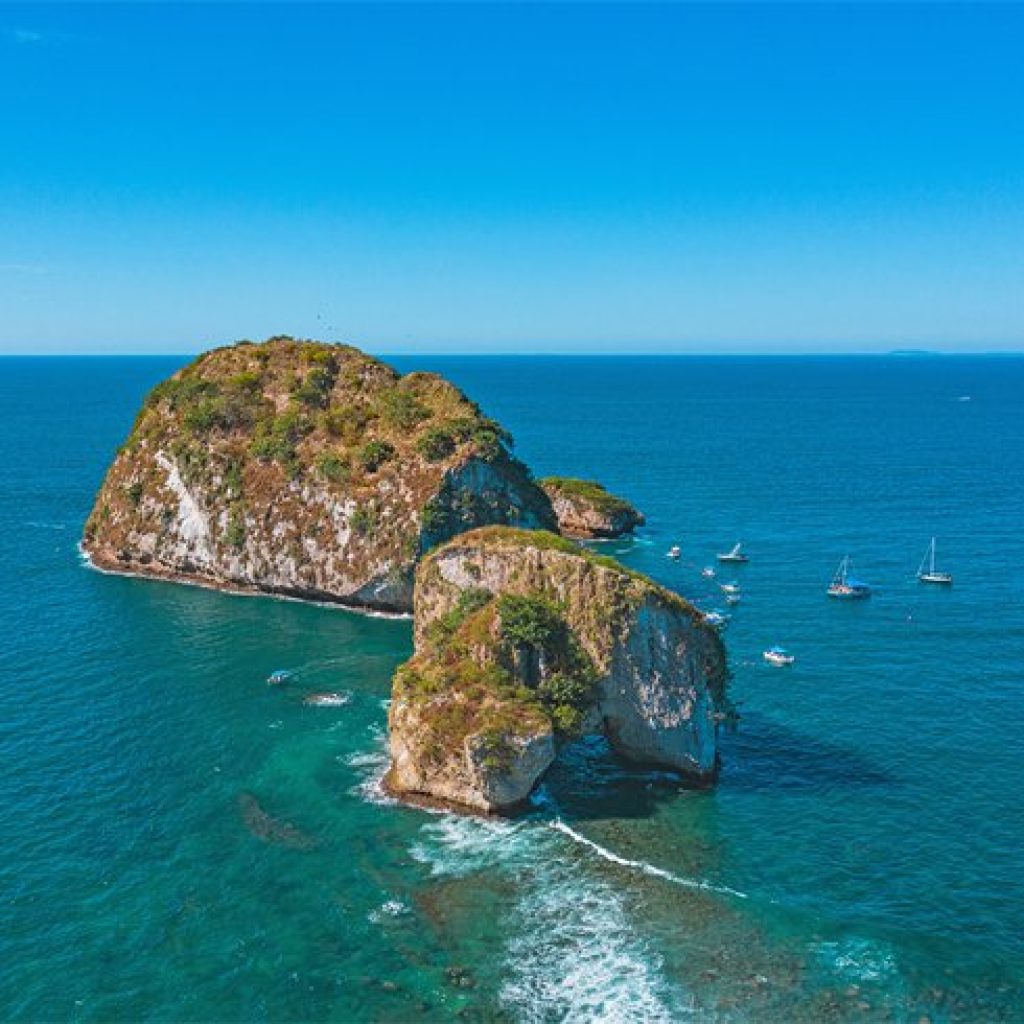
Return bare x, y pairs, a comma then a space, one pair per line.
306, 470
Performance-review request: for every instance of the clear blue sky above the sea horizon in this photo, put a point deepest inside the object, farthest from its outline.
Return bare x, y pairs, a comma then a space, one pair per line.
720, 179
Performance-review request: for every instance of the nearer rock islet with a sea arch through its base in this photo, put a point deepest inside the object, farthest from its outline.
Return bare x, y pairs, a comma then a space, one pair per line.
526, 639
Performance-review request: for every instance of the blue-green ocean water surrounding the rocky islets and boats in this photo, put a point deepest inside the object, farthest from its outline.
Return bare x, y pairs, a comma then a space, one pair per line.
183, 842
